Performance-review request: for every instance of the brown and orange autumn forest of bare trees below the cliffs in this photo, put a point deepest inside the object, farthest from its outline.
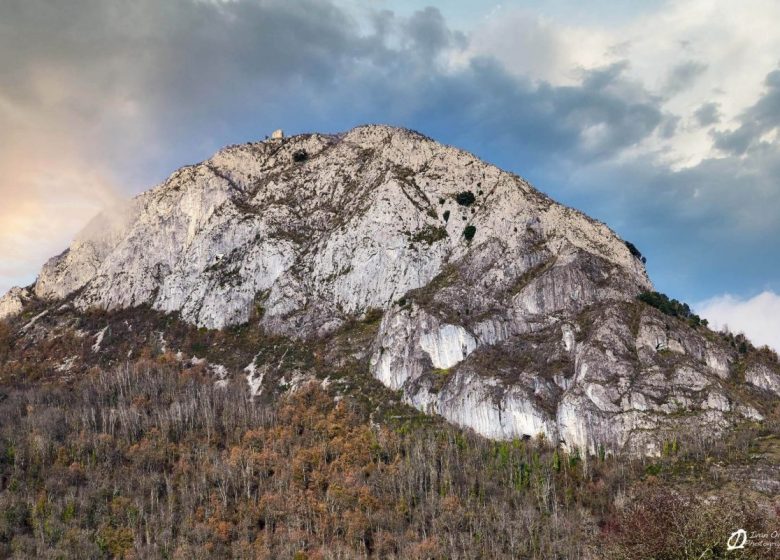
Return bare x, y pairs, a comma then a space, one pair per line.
150, 459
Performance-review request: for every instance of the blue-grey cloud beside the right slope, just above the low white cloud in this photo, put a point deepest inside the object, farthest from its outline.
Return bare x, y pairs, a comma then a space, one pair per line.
697, 225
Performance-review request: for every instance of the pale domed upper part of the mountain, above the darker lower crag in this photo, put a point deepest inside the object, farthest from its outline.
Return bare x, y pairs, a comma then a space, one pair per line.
323, 226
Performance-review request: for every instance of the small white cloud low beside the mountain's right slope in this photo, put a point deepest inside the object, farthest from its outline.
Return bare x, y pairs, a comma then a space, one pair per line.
758, 317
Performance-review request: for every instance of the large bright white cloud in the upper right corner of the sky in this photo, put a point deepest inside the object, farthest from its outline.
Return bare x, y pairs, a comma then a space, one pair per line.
733, 44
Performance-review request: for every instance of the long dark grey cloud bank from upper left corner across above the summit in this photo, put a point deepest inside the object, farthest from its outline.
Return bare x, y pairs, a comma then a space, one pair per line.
190, 72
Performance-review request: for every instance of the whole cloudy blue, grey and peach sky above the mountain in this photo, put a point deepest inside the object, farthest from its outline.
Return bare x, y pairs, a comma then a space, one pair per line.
661, 119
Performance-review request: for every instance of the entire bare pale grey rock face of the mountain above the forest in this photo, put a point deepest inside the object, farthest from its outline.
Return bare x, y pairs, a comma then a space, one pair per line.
503, 310
